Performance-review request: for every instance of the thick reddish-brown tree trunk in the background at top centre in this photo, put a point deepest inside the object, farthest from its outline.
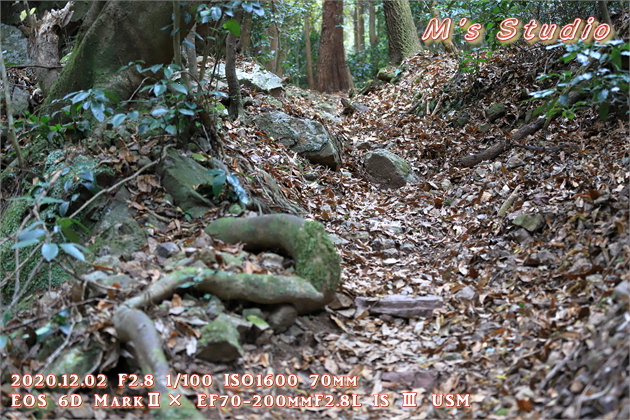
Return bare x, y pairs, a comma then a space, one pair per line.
333, 74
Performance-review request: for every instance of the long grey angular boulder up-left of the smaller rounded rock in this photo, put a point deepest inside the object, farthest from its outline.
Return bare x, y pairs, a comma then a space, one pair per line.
307, 138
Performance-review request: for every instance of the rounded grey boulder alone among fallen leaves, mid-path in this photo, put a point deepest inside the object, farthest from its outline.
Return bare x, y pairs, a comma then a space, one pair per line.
388, 169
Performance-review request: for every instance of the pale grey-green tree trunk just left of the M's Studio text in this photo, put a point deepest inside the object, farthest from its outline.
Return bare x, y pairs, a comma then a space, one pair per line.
401, 31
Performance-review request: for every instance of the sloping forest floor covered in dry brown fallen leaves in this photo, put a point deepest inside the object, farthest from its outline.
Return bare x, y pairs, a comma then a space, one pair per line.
533, 324
